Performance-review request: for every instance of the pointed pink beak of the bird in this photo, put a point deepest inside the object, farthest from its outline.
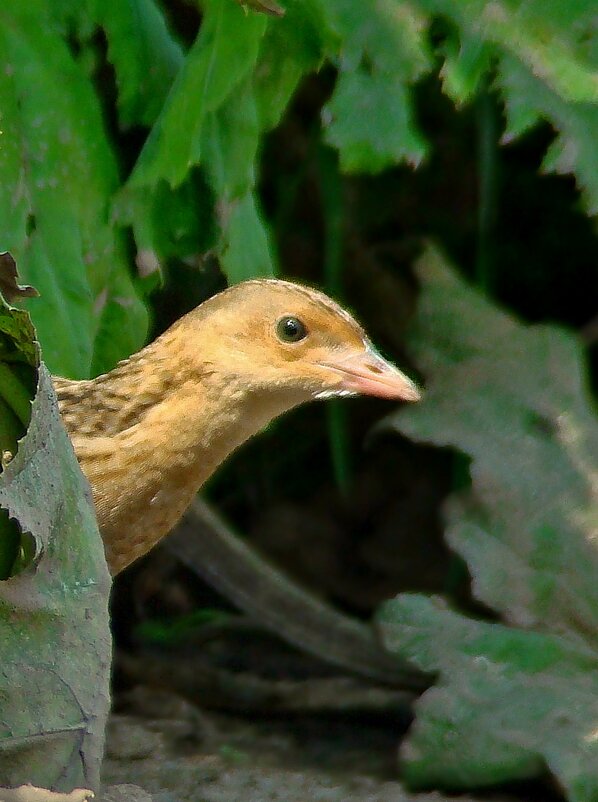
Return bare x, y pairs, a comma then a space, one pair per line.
367, 373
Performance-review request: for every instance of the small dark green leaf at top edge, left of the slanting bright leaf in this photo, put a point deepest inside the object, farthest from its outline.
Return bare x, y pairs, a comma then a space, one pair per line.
145, 55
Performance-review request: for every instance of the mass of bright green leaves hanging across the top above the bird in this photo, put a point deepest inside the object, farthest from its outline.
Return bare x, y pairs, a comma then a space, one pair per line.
210, 107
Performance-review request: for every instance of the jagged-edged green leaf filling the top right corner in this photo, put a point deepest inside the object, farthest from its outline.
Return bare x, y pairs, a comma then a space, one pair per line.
546, 55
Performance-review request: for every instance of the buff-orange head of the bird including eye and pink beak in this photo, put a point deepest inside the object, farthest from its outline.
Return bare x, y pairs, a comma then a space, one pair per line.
274, 335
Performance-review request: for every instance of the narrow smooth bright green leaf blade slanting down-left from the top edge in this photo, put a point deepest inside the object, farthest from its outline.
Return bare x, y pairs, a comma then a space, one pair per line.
223, 55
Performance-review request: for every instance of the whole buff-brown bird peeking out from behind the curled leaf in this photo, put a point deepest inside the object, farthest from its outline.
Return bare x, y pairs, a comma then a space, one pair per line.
150, 432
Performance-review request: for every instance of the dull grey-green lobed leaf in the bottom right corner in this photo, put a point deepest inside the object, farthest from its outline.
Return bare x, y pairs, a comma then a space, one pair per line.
507, 704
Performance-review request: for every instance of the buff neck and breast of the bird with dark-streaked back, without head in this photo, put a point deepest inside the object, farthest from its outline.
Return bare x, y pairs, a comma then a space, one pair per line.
151, 432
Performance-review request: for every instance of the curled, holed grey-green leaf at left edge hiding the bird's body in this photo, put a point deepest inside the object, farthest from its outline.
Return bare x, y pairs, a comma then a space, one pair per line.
53, 586
